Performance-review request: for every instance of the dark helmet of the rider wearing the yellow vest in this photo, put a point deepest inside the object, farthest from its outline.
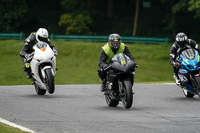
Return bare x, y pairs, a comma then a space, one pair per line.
114, 41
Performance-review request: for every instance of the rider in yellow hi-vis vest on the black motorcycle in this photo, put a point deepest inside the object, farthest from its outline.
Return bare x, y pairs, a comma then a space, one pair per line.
110, 49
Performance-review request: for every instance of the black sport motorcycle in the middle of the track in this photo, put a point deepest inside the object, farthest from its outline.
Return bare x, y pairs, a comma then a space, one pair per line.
120, 77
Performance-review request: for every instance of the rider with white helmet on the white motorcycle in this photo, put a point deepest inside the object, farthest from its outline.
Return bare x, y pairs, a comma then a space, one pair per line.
35, 37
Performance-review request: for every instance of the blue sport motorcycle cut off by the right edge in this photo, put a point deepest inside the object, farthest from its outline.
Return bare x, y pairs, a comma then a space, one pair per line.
189, 72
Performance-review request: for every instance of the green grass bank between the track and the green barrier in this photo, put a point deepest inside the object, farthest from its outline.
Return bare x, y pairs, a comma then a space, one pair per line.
77, 62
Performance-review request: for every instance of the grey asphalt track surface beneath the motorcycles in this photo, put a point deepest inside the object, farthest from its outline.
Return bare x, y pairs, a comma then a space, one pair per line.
157, 108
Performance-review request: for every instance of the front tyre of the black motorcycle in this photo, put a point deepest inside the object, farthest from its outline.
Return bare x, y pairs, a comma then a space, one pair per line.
128, 99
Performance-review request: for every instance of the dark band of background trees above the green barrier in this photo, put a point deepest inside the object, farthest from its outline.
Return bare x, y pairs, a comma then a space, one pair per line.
155, 18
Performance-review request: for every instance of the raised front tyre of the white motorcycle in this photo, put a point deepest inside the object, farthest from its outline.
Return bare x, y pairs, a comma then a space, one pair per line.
50, 81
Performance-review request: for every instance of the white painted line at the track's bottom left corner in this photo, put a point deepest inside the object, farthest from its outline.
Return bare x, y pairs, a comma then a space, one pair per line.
16, 126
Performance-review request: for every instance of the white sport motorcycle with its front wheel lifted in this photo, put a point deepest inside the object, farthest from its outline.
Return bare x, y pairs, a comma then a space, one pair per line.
43, 68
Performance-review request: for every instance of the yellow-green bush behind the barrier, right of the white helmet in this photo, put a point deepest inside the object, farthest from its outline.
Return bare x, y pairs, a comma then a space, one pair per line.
76, 24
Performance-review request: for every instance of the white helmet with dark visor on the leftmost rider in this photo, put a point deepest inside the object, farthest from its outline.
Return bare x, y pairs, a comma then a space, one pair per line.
42, 35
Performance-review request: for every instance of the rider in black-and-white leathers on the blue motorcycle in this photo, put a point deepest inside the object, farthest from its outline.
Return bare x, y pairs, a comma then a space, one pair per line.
182, 43
